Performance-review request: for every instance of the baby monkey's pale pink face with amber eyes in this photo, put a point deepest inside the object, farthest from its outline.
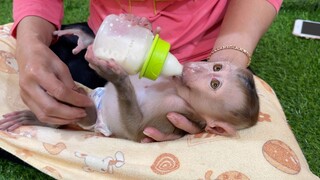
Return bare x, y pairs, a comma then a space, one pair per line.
209, 88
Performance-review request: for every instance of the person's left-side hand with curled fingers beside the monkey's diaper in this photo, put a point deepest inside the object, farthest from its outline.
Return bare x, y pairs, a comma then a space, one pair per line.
47, 87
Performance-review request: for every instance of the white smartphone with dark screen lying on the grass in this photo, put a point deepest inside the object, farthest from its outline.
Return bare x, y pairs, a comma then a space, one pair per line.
306, 29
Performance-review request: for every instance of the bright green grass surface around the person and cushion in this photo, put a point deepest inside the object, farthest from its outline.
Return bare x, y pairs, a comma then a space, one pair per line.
291, 65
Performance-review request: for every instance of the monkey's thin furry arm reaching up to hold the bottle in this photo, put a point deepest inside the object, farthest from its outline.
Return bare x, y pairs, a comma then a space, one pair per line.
129, 109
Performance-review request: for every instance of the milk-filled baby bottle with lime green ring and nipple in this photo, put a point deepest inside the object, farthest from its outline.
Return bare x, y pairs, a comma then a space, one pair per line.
135, 48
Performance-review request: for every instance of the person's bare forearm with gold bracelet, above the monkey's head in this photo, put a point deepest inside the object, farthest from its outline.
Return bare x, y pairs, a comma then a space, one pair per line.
244, 24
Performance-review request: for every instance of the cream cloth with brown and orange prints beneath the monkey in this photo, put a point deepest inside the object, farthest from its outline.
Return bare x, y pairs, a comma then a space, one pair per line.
267, 151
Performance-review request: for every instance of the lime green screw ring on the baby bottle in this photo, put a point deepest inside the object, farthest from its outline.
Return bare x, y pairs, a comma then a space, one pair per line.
156, 57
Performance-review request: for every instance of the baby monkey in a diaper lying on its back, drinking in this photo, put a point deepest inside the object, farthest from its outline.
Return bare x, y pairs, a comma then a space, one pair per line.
218, 97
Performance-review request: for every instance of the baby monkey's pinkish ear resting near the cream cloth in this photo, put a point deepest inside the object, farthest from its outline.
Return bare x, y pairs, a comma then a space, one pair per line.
221, 128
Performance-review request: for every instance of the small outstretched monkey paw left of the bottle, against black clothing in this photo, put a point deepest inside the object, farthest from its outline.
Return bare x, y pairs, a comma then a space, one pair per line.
84, 40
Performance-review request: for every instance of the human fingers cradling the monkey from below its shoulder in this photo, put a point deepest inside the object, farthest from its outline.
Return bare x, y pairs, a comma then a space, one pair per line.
179, 121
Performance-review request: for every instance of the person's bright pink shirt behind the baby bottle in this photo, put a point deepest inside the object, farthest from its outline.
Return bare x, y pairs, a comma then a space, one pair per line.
191, 26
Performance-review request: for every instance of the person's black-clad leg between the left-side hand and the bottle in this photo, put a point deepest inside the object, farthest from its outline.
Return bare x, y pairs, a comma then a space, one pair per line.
78, 66
